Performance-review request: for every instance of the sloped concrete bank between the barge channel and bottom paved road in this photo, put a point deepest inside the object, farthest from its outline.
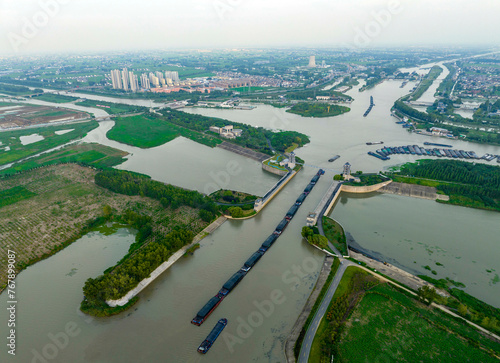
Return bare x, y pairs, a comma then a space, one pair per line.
306, 311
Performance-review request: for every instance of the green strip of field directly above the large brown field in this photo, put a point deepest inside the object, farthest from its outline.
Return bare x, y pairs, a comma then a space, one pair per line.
95, 155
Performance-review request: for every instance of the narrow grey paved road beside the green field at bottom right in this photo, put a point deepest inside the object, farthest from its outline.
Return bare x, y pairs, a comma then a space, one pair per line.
313, 327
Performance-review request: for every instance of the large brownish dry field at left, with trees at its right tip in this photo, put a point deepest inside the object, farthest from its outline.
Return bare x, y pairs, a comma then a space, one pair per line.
66, 198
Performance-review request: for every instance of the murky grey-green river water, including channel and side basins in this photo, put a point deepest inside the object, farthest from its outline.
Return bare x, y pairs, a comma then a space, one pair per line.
410, 233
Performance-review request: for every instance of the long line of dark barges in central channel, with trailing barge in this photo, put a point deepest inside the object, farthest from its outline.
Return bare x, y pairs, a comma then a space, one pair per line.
234, 280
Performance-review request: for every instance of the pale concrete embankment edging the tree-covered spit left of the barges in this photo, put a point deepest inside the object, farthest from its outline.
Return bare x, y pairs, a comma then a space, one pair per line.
166, 265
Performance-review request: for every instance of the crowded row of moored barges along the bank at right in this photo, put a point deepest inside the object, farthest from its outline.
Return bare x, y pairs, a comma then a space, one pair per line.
385, 152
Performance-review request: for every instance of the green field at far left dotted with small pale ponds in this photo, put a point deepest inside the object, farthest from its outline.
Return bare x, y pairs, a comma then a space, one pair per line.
51, 139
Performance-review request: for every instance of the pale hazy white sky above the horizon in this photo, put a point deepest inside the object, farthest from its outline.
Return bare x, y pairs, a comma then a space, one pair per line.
96, 25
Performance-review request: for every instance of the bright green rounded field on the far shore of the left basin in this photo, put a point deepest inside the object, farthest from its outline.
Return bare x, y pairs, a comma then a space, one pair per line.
146, 131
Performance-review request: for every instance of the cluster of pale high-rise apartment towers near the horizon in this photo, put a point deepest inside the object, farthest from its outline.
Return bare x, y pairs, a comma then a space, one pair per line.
127, 80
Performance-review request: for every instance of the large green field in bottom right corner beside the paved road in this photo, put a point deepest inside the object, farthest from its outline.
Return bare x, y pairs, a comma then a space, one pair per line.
373, 322
